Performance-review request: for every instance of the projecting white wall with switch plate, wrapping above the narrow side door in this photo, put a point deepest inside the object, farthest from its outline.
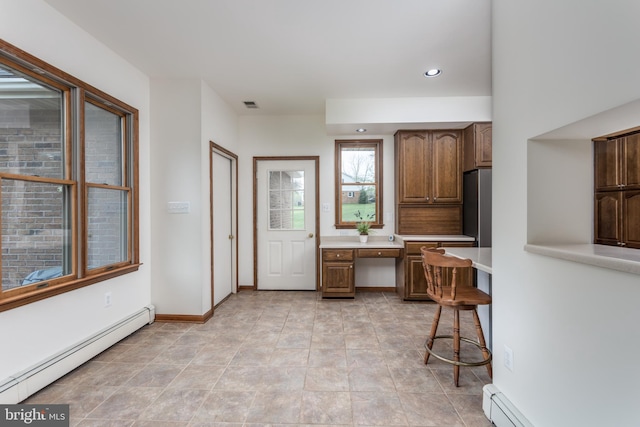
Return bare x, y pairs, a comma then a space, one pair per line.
187, 115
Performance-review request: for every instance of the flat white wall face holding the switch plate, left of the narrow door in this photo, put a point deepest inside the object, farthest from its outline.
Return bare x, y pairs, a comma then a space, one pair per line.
175, 172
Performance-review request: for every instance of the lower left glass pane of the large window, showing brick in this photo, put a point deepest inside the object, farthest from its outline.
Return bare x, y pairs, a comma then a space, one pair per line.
35, 232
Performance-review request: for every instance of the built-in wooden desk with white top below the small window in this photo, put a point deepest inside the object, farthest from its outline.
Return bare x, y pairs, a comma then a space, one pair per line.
338, 256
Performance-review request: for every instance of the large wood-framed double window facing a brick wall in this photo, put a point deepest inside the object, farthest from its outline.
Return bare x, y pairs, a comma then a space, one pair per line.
68, 176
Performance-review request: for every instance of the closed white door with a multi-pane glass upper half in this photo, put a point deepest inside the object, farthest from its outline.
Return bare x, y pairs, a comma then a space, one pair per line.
286, 224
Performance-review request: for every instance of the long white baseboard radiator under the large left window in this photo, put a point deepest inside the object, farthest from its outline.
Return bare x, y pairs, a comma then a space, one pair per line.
18, 387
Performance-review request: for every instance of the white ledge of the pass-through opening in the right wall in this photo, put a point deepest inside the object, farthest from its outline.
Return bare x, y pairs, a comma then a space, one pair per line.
611, 257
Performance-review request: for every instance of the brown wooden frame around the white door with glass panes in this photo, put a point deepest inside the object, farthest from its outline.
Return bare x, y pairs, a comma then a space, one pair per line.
256, 159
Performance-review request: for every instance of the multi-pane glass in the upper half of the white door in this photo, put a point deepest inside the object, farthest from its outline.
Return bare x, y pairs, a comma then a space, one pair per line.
286, 200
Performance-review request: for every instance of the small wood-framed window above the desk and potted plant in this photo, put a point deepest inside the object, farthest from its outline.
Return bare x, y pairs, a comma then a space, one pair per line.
358, 182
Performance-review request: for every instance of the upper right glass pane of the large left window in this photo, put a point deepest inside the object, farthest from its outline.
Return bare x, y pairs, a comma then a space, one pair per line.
103, 146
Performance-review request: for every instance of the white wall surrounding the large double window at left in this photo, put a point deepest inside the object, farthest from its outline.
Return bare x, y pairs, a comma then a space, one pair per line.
36, 331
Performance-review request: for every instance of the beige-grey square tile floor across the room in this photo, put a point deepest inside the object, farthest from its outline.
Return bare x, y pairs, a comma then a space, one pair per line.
278, 358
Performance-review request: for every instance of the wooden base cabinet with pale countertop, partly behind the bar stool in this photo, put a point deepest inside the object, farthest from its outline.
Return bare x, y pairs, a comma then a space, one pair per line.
411, 284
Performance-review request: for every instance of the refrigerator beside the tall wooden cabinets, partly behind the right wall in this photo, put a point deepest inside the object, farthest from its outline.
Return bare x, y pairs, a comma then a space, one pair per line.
476, 217
